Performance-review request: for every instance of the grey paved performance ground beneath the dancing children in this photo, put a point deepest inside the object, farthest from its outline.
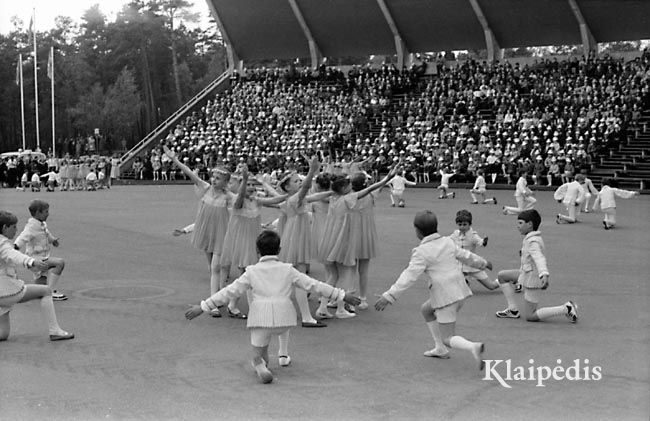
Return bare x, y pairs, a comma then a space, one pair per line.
136, 357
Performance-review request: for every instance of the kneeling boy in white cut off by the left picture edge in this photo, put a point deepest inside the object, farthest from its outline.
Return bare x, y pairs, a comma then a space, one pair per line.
13, 290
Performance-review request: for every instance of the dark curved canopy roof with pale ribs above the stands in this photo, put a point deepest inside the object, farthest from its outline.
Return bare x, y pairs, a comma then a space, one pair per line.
283, 29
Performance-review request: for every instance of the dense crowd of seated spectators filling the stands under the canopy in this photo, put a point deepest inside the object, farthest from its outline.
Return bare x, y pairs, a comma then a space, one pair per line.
552, 118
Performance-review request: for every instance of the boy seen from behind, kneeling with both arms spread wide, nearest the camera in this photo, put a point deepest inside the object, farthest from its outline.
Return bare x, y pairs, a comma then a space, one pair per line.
271, 283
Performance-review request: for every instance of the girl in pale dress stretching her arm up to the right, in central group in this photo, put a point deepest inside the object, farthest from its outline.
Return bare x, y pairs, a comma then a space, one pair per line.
338, 247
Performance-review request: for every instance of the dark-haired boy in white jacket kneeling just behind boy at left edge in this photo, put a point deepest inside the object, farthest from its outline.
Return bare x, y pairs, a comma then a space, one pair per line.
36, 239
